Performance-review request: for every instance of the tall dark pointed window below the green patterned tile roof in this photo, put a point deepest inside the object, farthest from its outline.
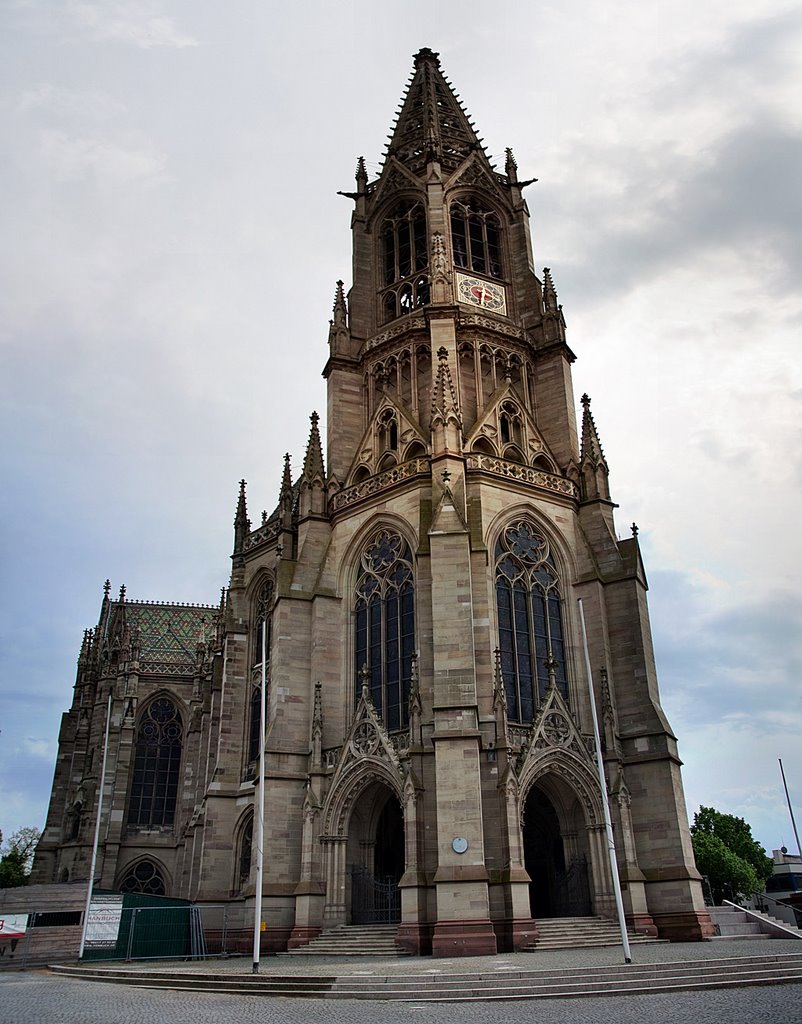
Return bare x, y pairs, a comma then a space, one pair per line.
157, 766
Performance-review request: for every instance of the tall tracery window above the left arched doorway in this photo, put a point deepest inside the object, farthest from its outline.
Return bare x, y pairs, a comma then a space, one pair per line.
385, 626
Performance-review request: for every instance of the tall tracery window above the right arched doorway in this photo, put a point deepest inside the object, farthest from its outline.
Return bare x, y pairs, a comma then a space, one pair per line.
529, 605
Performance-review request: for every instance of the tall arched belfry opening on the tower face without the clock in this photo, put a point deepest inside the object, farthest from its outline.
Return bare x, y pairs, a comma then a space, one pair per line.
405, 254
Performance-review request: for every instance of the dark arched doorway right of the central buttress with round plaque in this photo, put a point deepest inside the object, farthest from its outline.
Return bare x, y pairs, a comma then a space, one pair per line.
556, 857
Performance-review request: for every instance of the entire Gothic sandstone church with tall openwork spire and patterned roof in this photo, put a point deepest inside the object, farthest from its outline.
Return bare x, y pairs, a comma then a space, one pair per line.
412, 607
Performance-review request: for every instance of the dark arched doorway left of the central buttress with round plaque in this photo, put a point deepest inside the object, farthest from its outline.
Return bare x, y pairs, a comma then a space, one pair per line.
376, 858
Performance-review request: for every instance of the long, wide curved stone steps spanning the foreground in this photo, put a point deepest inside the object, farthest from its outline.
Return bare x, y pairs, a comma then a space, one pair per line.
452, 987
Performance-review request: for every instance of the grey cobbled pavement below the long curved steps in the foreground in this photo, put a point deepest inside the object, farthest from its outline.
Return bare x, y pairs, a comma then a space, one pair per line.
36, 998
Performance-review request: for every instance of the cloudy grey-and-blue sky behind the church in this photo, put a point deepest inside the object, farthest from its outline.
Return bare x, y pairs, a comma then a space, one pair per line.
172, 242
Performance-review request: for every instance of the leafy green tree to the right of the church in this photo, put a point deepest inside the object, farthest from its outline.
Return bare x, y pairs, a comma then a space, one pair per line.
728, 854
